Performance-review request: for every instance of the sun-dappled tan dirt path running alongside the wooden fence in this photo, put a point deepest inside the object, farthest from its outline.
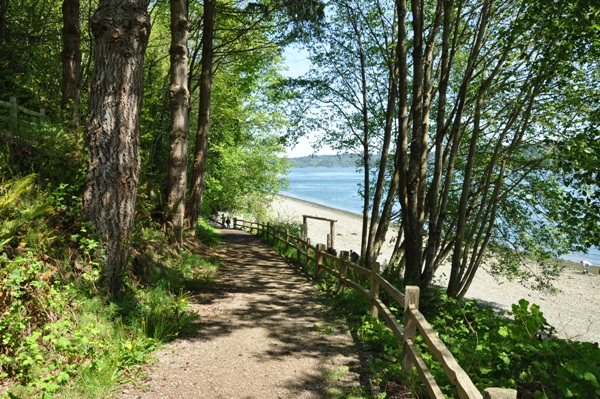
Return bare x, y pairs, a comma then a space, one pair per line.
262, 334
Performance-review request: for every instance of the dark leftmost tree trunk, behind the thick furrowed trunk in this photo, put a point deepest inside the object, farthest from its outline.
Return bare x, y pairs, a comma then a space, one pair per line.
71, 61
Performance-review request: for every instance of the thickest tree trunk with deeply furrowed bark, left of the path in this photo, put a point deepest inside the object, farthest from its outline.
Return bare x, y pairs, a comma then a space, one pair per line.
121, 30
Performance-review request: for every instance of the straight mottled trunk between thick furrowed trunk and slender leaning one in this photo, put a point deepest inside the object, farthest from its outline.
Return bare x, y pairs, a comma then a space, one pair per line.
180, 103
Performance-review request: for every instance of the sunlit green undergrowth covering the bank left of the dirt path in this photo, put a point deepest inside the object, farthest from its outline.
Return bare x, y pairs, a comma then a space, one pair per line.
60, 335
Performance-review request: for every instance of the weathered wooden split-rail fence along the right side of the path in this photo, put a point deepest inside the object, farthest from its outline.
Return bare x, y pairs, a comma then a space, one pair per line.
414, 320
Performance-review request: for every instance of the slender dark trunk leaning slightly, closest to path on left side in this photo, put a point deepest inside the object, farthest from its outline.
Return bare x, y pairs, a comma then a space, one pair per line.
200, 154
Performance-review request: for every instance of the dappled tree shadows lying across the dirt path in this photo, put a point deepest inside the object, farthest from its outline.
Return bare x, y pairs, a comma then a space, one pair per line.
280, 300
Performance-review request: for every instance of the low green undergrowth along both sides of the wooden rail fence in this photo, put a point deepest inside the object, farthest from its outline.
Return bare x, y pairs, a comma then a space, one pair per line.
514, 349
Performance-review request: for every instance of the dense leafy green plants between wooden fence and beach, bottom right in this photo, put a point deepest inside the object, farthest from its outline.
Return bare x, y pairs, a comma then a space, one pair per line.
514, 353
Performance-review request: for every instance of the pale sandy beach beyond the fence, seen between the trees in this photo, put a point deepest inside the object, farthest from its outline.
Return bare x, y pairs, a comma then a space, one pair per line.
573, 311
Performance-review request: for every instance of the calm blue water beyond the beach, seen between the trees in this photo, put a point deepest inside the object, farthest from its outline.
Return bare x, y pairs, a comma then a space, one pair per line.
338, 188
